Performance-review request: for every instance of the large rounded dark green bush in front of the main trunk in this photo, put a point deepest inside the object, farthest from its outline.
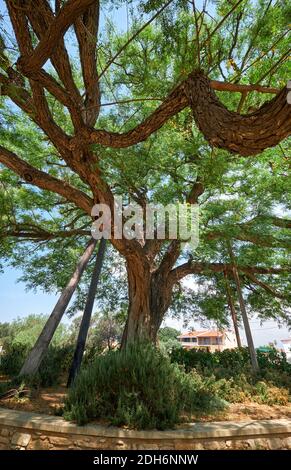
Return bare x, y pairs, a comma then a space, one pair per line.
140, 388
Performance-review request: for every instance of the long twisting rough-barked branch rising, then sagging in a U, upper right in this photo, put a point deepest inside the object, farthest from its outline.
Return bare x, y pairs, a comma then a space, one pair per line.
242, 134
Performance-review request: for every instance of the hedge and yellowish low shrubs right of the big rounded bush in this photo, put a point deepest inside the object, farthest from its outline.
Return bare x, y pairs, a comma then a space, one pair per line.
228, 374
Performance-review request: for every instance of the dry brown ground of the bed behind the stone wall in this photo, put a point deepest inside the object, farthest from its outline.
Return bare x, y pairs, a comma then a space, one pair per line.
48, 400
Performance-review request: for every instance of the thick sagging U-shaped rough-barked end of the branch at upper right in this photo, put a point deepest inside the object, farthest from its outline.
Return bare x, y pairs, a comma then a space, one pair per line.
243, 134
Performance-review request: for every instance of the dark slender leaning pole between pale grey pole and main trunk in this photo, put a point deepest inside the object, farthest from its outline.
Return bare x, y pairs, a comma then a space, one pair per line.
85, 323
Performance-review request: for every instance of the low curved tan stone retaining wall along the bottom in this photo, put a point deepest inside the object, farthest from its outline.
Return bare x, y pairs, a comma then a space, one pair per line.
20, 430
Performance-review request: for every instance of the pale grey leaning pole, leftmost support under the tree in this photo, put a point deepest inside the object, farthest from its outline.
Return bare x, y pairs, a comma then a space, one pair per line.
36, 355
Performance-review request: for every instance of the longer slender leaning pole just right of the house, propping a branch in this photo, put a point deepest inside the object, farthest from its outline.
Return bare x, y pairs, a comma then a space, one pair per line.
248, 332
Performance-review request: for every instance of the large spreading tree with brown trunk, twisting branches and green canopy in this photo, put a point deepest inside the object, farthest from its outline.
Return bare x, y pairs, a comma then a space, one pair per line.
136, 123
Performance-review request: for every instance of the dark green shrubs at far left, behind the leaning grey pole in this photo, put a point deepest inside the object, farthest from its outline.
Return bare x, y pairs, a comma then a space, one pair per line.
56, 363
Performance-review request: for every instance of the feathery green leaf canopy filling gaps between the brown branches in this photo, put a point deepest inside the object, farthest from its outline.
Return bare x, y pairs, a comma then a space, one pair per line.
241, 195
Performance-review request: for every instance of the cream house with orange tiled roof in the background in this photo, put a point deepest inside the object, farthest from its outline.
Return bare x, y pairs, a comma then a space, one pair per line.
211, 340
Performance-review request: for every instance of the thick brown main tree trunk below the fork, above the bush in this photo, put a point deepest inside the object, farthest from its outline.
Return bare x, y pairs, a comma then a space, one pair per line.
149, 299
